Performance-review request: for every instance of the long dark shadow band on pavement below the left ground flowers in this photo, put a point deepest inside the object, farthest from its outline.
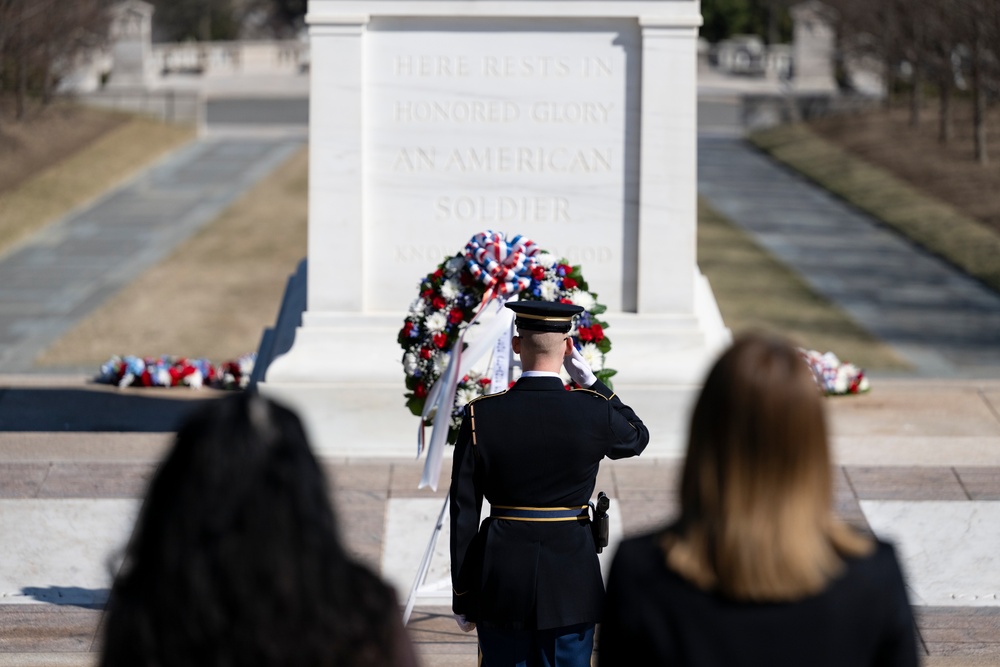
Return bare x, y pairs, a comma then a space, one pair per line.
93, 410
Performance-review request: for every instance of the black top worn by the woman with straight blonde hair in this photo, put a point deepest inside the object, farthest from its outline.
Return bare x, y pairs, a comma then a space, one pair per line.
654, 617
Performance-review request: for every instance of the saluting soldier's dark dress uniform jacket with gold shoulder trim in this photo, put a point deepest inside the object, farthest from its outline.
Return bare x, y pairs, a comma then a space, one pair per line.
536, 445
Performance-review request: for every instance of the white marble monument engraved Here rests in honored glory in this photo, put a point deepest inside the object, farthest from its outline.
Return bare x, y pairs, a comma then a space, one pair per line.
572, 123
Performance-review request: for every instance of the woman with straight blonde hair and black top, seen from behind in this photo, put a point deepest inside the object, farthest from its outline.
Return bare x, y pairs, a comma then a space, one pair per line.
757, 570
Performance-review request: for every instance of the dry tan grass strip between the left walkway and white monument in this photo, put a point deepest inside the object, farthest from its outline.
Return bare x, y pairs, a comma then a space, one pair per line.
215, 294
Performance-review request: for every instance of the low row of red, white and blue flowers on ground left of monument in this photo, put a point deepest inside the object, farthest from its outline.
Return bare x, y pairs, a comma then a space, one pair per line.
168, 371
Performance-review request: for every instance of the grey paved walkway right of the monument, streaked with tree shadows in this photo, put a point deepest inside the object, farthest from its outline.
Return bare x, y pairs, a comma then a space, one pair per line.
945, 323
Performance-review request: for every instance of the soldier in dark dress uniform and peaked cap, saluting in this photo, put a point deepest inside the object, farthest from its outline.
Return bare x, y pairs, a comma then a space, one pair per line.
529, 577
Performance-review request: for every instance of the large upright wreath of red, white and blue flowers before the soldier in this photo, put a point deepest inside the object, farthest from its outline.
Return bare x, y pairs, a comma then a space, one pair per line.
452, 296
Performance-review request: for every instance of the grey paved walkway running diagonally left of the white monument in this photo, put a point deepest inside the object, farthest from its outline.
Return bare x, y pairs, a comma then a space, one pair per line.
69, 268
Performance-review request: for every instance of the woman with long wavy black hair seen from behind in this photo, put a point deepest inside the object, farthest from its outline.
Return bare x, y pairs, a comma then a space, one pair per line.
235, 559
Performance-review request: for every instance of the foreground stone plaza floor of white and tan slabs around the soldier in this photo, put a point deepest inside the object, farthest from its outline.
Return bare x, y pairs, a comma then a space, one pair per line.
917, 461
